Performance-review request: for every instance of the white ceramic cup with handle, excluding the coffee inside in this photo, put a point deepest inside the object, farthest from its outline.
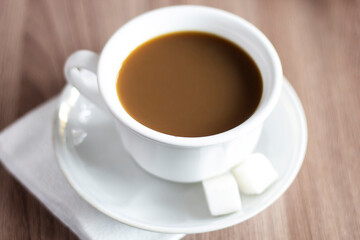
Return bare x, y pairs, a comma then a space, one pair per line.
179, 159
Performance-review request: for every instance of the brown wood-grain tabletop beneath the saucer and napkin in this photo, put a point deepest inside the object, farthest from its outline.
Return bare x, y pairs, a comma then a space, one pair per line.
319, 45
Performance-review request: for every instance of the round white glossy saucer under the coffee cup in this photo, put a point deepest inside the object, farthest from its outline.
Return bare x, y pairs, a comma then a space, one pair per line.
106, 177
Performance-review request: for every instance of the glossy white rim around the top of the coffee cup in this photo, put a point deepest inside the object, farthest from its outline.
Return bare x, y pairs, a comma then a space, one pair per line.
255, 120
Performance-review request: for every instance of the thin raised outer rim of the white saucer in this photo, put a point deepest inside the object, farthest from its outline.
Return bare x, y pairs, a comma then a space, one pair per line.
225, 222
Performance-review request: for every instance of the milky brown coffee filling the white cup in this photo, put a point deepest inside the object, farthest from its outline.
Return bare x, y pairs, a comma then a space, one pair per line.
189, 84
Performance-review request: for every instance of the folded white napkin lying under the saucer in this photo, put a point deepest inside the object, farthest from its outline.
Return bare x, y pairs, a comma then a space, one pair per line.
26, 150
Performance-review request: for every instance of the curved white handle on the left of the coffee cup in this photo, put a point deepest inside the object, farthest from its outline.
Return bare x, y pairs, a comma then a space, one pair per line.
81, 72
